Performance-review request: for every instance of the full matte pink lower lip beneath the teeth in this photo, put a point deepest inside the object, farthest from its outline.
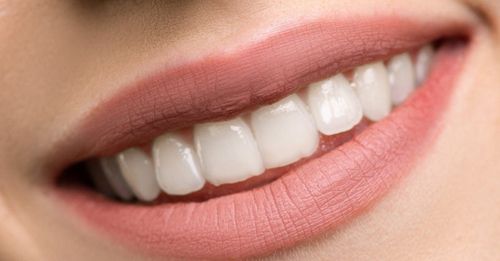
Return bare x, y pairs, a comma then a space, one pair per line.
311, 199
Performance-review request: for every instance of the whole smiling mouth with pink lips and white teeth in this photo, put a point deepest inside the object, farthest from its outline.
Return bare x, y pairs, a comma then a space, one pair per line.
243, 153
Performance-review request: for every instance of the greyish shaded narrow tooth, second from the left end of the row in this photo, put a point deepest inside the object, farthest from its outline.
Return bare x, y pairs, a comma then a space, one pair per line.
138, 171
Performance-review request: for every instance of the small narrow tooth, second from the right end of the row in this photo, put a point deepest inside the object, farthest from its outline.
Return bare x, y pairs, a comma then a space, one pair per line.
401, 77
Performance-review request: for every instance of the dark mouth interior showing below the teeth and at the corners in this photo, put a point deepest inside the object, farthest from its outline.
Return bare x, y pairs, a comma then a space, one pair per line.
77, 176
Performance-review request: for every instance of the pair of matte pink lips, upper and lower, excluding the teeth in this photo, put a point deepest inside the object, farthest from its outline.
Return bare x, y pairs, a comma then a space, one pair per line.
310, 199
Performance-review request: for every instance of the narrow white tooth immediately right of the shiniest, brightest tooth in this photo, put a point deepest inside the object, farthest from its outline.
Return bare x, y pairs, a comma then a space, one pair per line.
372, 86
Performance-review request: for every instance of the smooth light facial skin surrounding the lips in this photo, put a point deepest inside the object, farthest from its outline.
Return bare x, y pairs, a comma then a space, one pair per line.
59, 58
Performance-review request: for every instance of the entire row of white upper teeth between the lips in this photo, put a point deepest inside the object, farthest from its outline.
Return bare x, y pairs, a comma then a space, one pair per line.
271, 136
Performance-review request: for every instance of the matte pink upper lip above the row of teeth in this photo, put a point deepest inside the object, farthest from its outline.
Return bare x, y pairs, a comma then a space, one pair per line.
135, 115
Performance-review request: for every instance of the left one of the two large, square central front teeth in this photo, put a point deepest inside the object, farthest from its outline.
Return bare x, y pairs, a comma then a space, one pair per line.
228, 151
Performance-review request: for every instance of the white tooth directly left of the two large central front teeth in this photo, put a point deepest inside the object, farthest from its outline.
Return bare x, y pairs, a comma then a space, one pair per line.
177, 165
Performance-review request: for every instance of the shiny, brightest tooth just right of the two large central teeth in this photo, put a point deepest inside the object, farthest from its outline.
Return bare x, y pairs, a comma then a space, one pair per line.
334, 105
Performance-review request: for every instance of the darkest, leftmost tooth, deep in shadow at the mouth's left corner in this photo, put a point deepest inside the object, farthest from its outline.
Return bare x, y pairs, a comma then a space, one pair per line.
108, 178
